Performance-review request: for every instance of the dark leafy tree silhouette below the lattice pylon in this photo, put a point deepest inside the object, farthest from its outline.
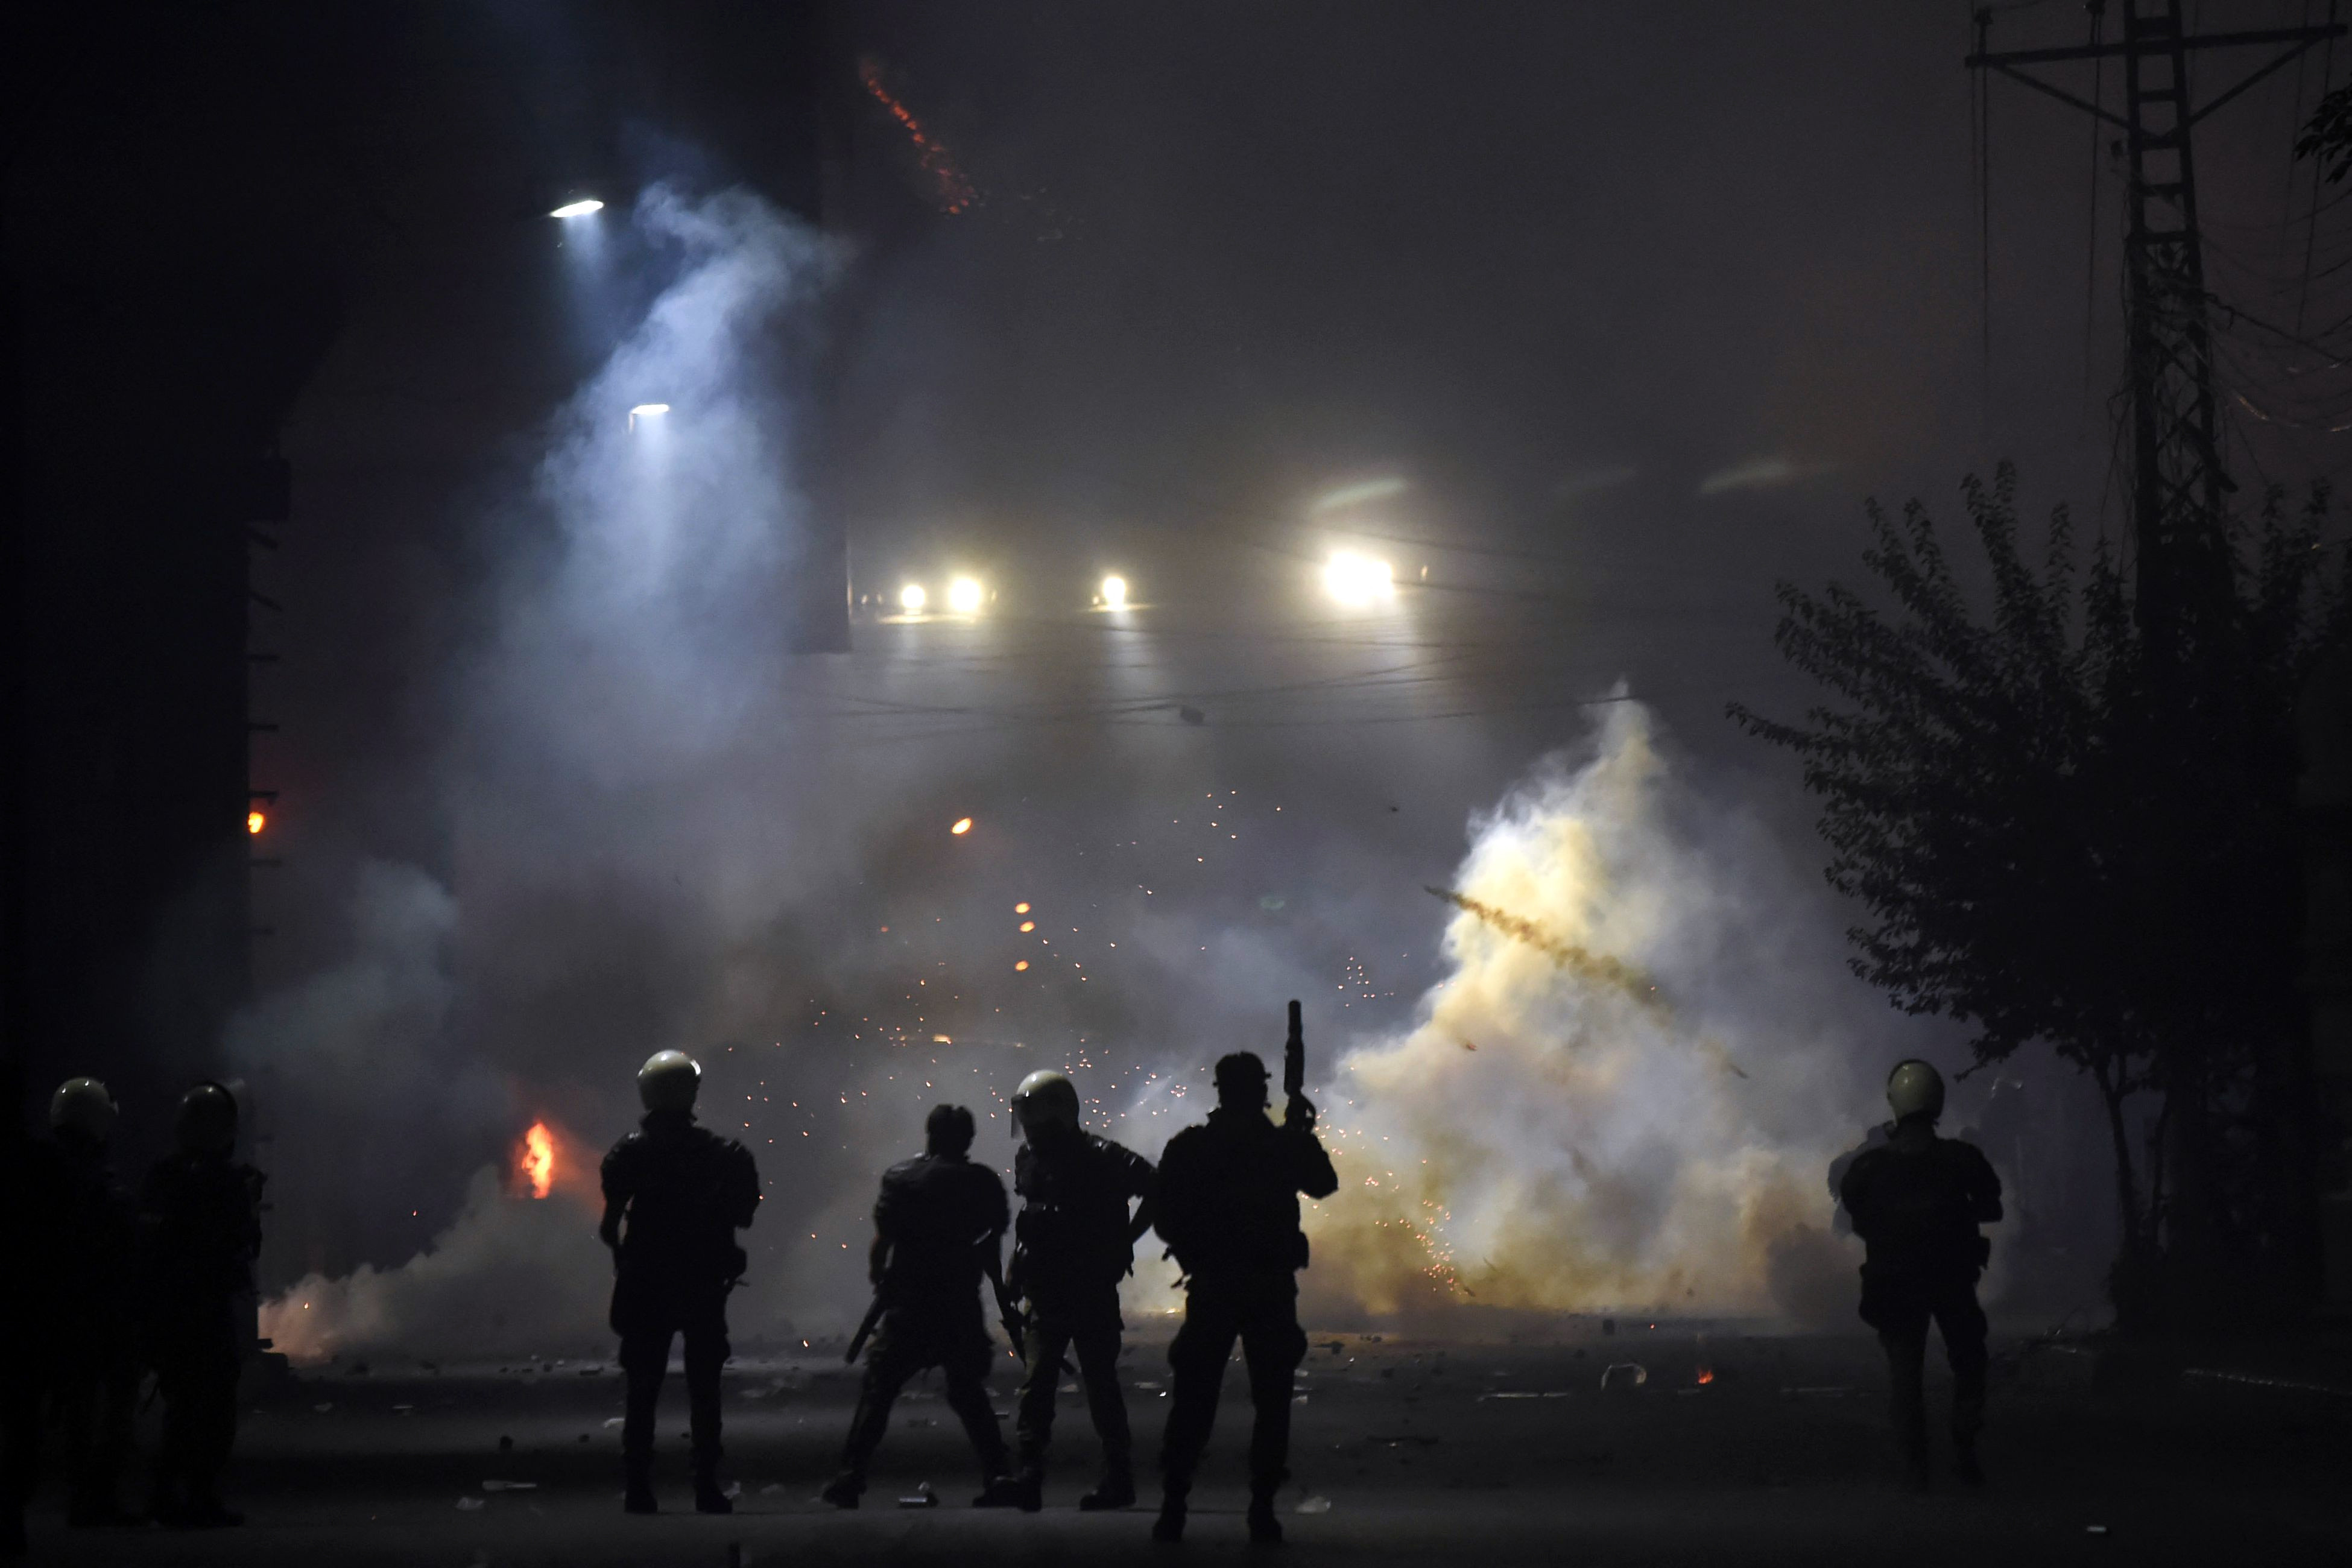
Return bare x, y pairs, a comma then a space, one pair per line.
2071, 836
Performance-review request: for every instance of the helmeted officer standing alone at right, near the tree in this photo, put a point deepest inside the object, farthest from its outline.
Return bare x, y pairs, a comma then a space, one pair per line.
1916, 1205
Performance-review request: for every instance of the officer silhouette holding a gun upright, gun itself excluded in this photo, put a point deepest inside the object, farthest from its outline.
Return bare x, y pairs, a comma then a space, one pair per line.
1229, 1209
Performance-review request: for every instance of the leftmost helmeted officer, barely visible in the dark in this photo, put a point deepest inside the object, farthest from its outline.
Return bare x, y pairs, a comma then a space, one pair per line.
91, 1301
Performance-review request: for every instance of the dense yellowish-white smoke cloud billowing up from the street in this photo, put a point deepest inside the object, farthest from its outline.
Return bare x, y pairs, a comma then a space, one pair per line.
1551, 1134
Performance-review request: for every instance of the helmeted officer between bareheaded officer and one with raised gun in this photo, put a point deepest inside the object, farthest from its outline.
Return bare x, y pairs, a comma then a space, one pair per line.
1074, 1245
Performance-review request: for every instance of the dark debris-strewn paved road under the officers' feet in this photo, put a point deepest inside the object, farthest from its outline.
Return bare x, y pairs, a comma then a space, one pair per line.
1422, 1452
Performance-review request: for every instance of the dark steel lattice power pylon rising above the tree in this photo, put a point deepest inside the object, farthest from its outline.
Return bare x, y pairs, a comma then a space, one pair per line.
2177, 467
